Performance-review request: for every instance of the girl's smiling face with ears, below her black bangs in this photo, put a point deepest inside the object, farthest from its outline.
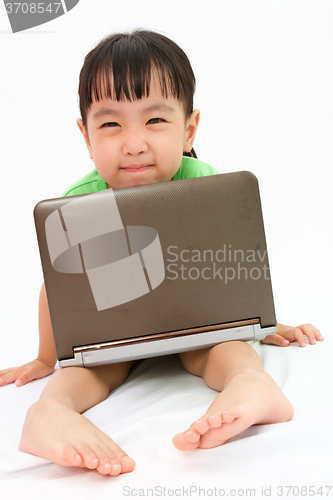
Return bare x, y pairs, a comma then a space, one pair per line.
138, 142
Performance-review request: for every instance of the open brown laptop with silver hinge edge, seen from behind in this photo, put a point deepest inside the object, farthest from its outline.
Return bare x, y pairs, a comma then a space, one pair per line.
155, 269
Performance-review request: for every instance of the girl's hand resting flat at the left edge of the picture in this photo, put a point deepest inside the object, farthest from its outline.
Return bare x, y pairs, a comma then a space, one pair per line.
34, 370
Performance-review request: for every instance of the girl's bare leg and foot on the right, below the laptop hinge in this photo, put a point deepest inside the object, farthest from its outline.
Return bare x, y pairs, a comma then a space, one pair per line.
247, 395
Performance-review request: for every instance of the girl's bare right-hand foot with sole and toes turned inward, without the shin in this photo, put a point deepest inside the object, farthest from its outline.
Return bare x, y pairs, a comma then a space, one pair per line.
249, 398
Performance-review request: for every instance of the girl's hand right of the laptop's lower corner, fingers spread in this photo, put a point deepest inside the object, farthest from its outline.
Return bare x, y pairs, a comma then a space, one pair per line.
286, 334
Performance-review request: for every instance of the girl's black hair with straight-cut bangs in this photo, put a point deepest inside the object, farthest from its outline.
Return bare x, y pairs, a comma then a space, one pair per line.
121, 65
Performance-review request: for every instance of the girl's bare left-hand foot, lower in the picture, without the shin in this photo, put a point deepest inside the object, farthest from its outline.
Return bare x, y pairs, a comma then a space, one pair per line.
56, 432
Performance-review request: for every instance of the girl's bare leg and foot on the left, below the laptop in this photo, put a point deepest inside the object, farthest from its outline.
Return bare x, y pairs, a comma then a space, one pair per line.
55, 429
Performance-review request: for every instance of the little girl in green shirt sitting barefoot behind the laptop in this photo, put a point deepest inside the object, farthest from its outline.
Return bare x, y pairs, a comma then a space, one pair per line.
138, 122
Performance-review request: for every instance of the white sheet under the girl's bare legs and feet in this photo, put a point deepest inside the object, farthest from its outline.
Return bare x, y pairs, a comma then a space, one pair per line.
160, 399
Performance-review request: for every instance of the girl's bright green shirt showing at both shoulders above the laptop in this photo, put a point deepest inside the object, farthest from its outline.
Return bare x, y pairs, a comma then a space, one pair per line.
93, 182
